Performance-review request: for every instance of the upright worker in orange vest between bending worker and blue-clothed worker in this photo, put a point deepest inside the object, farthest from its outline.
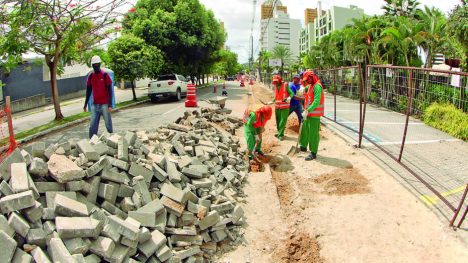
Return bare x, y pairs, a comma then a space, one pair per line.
282, 98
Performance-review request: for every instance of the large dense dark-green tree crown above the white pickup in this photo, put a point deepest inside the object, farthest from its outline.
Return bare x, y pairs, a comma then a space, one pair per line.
187, 34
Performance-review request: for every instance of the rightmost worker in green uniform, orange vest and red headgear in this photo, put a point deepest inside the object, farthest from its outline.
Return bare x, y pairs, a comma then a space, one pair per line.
314, 108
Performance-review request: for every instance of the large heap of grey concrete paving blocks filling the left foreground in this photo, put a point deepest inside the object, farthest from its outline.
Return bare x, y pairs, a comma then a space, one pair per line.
167, 195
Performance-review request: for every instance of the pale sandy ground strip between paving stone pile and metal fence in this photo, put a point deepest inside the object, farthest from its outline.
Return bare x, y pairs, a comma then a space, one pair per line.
341, 207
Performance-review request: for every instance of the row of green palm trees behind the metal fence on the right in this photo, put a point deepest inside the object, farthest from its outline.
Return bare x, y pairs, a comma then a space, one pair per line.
392, 39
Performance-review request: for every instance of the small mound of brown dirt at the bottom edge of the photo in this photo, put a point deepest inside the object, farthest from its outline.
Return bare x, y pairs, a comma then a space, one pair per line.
300, 248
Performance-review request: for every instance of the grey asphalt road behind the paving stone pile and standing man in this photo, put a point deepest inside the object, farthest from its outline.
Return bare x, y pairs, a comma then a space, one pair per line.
148, 115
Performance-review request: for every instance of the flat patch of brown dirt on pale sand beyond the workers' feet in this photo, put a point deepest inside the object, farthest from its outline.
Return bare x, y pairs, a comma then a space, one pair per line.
343, 182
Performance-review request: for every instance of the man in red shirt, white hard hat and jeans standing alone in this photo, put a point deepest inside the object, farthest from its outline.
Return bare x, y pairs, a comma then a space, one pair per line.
99, 84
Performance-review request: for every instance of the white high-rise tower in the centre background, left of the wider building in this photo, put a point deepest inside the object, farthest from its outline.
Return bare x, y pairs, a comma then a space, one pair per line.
280, 30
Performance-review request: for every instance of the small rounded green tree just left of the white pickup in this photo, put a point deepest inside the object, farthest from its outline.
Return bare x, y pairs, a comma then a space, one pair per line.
131, 58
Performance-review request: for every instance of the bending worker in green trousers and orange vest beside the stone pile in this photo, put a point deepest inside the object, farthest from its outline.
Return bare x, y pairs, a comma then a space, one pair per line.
253, 128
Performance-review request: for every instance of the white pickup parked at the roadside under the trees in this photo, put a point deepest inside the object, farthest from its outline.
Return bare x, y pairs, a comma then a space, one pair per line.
168, 85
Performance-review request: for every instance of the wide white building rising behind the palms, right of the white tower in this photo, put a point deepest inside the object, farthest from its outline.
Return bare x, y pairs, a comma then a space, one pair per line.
325, 22
